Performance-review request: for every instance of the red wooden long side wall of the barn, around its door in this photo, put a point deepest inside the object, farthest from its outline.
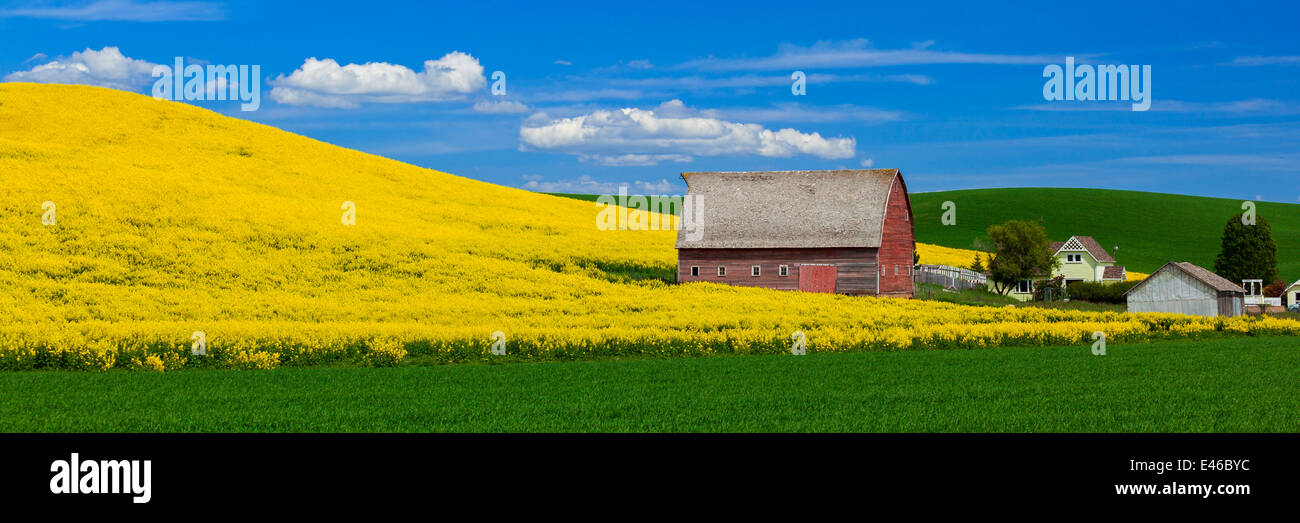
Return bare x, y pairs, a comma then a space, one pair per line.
856, 267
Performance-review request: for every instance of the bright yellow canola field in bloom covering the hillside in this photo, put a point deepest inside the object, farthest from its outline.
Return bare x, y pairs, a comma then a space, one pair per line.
170, 221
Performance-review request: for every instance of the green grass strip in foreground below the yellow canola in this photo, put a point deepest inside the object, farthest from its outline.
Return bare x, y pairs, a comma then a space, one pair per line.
1227, 386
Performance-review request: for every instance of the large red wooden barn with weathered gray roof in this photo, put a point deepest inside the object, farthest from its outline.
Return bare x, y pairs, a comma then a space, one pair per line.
846, 232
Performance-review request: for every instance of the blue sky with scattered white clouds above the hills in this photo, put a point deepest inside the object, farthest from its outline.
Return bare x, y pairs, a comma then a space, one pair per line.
597, 96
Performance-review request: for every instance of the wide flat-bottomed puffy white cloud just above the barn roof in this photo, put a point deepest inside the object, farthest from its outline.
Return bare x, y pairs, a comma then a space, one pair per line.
673, 129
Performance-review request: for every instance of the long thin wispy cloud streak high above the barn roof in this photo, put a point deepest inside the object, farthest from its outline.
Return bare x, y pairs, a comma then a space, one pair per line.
856, 54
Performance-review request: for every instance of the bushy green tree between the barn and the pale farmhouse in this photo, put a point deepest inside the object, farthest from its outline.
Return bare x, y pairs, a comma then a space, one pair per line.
1021, 253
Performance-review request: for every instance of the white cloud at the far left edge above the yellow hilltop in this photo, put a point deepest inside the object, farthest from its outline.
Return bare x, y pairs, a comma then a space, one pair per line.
105, 68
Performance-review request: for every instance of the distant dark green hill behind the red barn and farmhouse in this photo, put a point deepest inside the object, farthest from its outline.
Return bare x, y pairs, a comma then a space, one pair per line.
1150, 228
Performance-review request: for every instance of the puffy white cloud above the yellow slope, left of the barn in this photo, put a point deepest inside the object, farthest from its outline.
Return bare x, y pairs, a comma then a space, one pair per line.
326, 84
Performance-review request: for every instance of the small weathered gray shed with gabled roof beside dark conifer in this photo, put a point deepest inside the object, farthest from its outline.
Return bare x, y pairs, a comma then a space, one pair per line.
1185, 288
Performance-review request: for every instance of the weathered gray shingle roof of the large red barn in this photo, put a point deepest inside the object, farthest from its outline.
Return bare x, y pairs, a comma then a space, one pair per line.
790, 209
